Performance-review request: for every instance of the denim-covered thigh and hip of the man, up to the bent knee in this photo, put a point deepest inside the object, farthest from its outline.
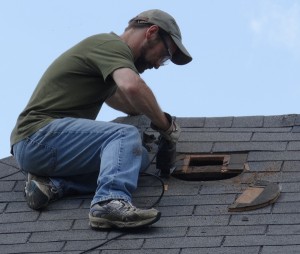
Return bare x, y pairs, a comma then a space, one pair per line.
65, 147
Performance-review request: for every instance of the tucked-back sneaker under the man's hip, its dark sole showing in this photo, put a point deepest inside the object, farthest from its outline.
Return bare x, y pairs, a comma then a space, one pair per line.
39, 192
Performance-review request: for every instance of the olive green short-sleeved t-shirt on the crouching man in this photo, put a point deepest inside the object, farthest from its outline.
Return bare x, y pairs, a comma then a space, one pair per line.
76, 84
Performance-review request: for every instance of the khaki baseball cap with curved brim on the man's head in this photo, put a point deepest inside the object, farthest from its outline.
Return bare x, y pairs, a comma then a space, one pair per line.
166, 22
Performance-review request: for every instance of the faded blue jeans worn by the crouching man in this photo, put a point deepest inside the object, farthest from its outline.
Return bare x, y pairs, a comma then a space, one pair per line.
82, 156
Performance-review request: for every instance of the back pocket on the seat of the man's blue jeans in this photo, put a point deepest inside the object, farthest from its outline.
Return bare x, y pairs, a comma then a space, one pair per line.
38, 158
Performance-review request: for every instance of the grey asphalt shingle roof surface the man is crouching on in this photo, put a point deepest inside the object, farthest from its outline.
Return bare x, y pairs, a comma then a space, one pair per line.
195, 217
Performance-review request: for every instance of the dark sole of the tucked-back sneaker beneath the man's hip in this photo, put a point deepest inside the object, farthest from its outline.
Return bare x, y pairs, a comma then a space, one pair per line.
36, 199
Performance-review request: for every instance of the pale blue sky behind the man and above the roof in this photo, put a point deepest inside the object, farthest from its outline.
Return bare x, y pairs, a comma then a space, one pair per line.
246, 53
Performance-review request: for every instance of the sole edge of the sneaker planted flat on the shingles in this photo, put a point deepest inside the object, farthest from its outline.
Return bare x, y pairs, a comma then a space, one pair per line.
102, 223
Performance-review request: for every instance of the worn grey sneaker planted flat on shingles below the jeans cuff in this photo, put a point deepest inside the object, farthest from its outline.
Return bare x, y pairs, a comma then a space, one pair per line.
121, 214
